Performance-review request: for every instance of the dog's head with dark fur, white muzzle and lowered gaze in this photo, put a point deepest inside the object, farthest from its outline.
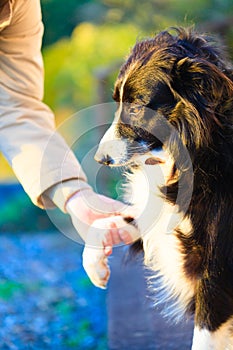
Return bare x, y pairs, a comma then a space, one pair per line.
172, 90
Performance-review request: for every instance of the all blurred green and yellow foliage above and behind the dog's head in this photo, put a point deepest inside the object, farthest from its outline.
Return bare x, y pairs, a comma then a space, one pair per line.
92, 37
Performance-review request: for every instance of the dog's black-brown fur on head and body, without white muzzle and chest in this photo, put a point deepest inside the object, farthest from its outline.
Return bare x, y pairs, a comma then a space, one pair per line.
187, 78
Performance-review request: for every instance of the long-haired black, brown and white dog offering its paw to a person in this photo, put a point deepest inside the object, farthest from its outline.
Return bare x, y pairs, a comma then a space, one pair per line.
173, 137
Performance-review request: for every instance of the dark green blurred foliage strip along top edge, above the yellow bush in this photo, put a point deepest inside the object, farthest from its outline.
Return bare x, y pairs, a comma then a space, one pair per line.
61, 17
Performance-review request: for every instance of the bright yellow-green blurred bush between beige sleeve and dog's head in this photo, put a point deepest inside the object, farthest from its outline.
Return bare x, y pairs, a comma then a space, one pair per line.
74, 66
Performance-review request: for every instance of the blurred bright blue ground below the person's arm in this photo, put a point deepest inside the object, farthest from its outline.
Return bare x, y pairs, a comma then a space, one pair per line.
46, 300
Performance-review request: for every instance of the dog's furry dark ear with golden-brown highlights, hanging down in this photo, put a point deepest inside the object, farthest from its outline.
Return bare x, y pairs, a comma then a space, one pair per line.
206, 98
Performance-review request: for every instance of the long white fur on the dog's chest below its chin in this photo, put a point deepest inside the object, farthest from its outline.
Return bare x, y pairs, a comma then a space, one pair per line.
161, 223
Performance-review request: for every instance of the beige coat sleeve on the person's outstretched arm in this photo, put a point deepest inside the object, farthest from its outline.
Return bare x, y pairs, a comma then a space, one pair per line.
38, 155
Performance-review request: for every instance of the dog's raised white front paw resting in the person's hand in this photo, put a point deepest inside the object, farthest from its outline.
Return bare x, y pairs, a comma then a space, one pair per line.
101, 237
